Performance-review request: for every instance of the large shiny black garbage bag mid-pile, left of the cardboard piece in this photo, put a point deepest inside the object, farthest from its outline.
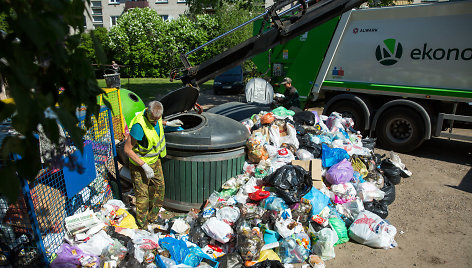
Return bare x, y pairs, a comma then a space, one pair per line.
290, 183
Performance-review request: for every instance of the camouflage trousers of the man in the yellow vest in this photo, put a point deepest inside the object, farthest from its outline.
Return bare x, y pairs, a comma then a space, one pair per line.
149, 193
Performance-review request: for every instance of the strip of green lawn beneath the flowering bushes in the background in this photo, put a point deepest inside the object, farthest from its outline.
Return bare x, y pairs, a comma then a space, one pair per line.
149, 89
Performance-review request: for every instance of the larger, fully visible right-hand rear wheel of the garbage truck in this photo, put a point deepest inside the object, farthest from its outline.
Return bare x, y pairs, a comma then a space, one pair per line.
400, 129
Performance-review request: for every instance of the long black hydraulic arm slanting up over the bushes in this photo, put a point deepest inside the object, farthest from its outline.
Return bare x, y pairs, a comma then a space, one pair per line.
283, 30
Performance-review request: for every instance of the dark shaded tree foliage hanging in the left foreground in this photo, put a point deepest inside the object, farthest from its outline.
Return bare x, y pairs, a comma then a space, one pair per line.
38, 57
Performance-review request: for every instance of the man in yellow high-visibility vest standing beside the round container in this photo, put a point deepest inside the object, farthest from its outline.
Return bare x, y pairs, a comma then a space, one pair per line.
145, 146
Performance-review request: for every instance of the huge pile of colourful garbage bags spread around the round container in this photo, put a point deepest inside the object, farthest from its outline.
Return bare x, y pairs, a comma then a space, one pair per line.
310, 183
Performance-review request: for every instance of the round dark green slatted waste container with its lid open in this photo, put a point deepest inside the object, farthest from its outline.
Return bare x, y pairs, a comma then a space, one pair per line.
203, 156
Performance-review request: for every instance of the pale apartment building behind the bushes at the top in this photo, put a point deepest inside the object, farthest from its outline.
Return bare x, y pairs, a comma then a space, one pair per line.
105, 13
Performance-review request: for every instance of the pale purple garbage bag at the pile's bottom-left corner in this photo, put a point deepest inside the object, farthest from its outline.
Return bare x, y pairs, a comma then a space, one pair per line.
70, 256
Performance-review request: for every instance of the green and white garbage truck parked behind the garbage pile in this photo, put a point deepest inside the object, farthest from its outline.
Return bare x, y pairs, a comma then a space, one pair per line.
403, 73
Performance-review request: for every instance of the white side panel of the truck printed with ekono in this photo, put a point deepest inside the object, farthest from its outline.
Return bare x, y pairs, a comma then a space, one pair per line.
427, 46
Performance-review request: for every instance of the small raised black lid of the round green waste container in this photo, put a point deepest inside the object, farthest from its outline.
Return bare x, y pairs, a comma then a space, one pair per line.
180, 100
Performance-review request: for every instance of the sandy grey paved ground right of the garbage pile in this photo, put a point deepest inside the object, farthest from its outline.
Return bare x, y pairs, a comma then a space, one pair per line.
432, 211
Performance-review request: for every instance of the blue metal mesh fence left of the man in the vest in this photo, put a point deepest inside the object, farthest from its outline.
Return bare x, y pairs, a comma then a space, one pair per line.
32, 229
